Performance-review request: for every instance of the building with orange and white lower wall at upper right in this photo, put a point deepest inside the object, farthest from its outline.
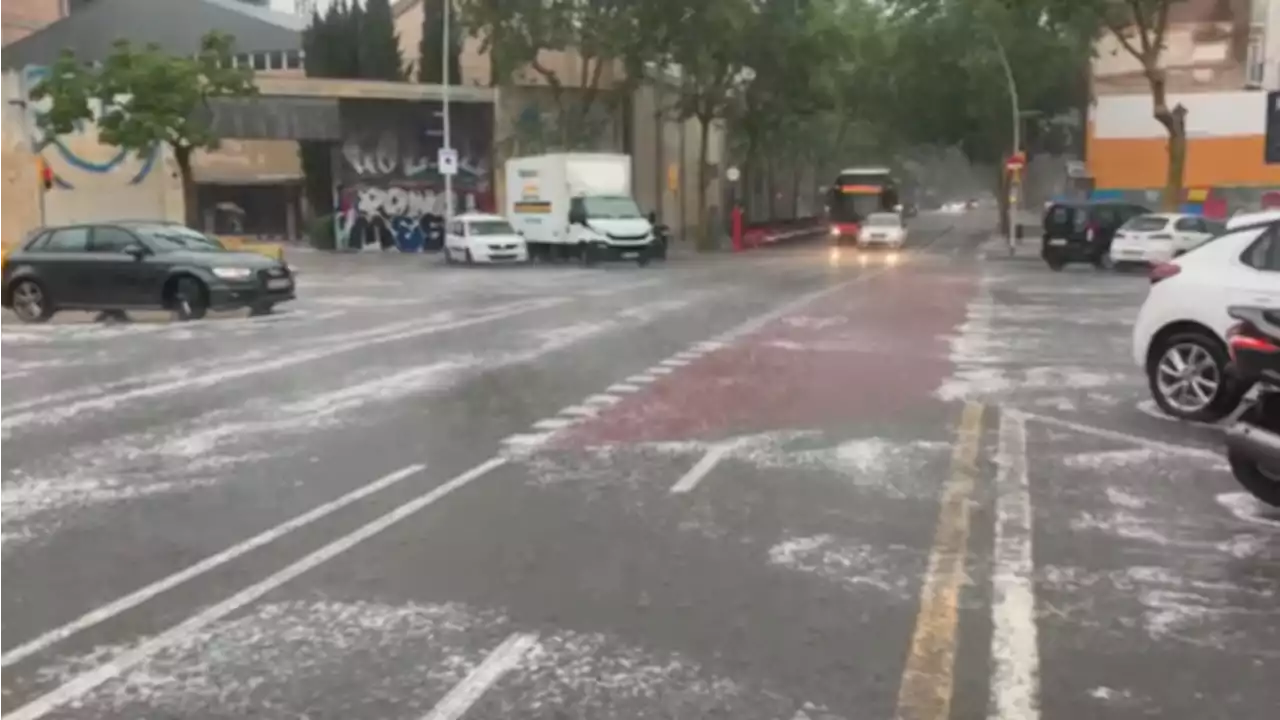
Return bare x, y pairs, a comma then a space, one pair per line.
1220, 57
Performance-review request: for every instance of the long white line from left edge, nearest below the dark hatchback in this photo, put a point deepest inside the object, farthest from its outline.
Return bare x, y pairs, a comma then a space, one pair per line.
214, 379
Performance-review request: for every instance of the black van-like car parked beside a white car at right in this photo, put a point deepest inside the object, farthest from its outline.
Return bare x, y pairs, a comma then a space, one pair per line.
1082, 231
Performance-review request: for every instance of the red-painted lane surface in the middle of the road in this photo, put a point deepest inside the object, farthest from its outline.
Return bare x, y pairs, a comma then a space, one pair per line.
877, 348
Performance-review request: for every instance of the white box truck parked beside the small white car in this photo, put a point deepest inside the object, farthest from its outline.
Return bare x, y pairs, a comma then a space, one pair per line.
578, 207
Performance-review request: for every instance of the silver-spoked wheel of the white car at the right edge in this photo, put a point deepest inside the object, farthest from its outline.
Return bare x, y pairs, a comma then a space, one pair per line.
1191, 380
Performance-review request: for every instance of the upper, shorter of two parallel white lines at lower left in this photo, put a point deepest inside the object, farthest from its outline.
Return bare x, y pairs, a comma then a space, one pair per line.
212, 563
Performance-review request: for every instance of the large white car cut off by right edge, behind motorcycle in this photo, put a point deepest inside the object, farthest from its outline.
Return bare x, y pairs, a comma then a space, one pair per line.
1180, 339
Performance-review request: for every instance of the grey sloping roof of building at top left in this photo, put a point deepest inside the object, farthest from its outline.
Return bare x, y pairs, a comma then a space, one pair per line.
176, 26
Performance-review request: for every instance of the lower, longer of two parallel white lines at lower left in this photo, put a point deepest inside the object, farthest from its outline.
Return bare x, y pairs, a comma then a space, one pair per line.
121, 664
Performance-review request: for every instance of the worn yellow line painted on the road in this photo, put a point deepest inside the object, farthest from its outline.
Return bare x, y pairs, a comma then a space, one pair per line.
927, 678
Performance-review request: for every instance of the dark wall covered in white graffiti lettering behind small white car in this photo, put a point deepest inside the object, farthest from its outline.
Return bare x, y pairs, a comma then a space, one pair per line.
391, 193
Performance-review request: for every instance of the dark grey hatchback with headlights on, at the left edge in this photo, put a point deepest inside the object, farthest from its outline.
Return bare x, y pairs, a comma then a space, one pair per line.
138, 266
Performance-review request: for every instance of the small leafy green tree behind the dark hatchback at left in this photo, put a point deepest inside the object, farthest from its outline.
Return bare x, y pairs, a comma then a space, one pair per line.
145, 98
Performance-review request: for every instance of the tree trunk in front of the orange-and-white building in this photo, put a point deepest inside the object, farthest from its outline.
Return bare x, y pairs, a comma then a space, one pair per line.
1141, 29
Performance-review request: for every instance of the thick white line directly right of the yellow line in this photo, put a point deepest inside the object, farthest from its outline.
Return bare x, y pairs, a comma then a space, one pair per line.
1014, 642
